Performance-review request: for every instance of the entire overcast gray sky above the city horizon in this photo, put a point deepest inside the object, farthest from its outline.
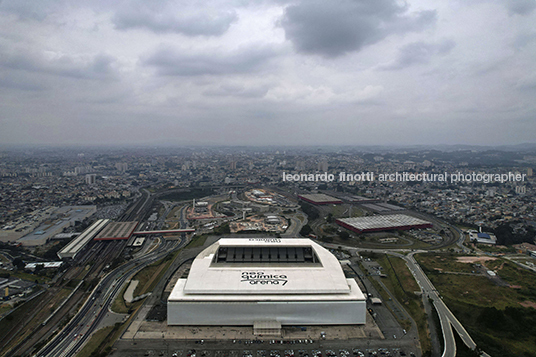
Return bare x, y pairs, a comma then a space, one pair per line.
351, 72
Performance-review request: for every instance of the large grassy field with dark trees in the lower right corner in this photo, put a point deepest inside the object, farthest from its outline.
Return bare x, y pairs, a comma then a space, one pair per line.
492, 314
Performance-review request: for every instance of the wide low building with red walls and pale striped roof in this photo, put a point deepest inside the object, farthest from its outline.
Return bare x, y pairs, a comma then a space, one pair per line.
382, 223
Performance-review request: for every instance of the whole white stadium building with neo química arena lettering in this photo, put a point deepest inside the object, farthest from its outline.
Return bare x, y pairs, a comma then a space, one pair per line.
256, 281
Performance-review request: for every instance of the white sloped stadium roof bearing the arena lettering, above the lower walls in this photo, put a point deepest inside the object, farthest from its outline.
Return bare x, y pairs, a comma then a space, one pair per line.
303, 267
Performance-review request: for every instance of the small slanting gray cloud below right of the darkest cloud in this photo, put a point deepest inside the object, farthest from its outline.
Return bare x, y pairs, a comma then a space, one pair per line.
419, 53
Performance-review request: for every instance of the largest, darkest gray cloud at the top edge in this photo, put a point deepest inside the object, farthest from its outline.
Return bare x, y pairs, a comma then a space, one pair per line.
334, 29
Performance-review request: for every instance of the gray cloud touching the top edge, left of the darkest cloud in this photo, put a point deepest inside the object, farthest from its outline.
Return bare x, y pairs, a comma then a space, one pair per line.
163, 18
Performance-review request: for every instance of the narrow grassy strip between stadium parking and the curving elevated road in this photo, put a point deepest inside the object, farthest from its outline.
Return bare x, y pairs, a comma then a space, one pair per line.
401, 283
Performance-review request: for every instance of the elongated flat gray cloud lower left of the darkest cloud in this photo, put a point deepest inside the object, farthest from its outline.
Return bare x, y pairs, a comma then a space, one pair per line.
169, 62
